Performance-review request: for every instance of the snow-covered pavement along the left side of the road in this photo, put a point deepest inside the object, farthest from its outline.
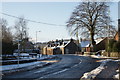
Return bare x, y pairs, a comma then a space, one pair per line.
13, 68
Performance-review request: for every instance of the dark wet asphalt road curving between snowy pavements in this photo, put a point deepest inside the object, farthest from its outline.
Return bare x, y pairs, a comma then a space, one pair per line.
70, 67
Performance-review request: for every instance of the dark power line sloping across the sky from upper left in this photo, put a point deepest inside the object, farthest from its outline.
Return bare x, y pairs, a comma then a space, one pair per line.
31, 20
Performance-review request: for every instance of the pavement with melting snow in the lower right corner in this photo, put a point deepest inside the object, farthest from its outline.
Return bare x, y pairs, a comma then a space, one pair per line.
108, 70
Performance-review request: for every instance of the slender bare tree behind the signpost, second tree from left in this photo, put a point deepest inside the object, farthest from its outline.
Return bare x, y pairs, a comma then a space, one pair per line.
21, 31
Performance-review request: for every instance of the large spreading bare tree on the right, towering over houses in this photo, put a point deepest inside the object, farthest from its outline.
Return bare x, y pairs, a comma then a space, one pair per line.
91, 18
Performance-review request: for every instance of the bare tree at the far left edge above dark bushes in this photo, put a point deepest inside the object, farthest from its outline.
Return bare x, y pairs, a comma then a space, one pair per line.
7, 38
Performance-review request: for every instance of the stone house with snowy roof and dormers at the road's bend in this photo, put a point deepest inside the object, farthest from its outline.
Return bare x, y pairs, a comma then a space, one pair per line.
61, 47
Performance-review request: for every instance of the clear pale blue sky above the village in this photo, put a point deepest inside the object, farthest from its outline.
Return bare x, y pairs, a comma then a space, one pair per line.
47, 12
